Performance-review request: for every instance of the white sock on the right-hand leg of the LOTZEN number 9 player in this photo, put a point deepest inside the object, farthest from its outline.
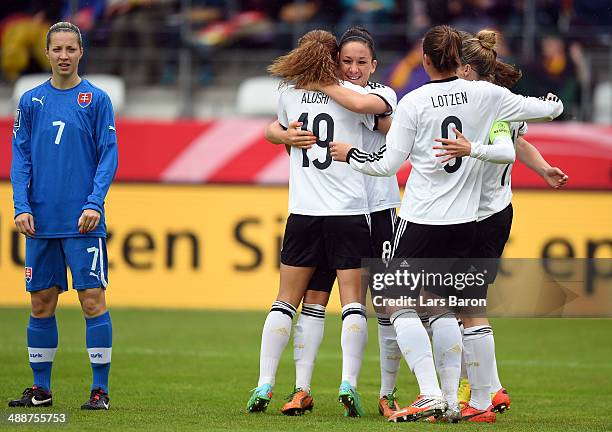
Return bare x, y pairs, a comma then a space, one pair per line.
447, 346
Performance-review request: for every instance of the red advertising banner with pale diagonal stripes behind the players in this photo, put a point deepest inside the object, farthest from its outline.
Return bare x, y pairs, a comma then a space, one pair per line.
234, 151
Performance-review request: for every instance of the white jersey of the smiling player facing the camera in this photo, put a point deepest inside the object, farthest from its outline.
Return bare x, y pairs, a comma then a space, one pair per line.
383, 192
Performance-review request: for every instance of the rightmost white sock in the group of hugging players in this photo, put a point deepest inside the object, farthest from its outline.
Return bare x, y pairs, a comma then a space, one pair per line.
479, 354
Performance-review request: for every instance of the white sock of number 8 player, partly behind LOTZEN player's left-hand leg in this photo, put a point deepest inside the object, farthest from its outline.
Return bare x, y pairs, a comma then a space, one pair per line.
390, 355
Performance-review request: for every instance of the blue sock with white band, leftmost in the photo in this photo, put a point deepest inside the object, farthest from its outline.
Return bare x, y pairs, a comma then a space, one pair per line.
42, 346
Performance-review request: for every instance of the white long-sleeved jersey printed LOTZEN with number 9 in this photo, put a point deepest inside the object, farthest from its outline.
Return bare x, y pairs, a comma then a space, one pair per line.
445, 194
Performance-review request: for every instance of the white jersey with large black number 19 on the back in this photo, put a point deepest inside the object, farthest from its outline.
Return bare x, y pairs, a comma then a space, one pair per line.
319, 186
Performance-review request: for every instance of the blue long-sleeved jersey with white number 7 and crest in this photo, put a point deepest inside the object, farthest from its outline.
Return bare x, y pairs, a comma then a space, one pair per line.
64, 157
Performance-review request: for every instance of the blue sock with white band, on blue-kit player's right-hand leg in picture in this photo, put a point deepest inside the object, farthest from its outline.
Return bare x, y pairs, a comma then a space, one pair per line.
99, 337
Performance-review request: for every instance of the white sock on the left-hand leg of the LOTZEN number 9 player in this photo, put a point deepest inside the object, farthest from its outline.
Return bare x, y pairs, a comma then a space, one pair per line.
416, 349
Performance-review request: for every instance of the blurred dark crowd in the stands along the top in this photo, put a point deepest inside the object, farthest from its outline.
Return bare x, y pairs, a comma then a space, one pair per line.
132, 31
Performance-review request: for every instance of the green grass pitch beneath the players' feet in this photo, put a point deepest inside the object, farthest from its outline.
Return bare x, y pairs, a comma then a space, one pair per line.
192, 370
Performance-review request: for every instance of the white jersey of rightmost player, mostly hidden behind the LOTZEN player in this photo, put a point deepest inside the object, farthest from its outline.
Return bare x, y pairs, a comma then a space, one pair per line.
496, 192
